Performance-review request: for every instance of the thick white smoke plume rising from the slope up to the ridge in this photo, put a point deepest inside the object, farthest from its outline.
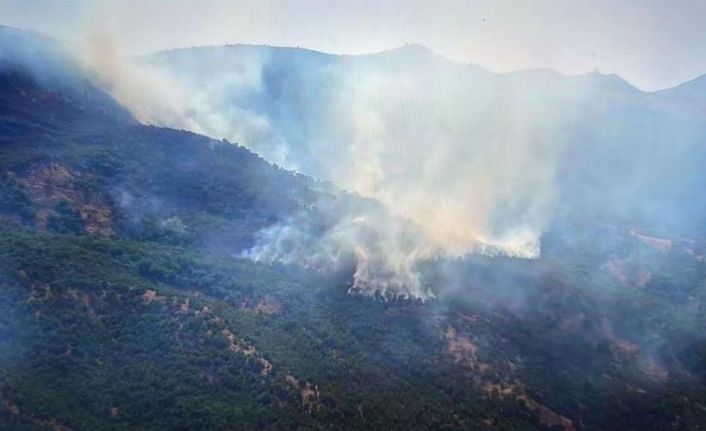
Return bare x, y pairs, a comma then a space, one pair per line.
462, 160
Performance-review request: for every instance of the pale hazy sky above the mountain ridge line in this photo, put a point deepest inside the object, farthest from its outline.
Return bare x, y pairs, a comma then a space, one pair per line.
653, 44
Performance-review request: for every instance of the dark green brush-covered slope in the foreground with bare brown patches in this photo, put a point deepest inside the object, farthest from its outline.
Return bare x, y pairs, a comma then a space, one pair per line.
123, 307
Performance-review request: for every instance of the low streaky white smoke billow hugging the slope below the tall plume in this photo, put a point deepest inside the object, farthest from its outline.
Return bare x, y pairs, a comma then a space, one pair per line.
383, 251
